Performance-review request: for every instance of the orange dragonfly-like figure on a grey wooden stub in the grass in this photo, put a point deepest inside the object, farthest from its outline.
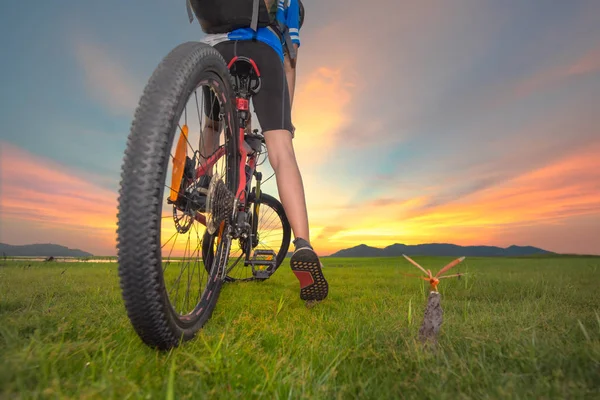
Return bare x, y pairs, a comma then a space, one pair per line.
433, 317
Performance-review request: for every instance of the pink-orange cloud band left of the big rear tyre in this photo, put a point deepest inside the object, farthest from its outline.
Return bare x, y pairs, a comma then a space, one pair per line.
43, 201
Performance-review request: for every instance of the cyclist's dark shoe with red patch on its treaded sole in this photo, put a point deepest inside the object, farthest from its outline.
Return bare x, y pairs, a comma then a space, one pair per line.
307, 268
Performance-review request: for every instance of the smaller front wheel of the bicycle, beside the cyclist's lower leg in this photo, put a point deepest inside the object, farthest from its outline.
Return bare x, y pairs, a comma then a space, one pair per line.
270, 233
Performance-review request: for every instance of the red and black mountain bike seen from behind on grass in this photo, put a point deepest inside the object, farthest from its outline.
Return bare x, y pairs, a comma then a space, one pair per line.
198, 196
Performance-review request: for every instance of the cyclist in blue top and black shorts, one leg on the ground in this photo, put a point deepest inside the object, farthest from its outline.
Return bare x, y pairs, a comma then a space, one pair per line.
272, 105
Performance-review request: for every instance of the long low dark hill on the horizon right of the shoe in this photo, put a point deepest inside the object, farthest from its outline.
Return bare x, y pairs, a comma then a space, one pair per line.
439, 249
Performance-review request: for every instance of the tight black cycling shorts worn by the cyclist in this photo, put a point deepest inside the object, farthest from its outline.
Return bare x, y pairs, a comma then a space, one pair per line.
272, 102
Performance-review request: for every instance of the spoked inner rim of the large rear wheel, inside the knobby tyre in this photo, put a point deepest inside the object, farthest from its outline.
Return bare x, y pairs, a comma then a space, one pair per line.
189, 283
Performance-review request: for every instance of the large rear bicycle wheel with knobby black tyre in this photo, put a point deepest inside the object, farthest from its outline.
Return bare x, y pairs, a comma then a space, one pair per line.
168, 291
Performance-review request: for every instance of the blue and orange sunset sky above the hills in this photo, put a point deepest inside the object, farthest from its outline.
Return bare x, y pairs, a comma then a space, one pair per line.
470, 122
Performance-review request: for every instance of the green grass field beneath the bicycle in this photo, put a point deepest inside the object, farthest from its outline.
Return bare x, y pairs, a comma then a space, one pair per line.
514, 328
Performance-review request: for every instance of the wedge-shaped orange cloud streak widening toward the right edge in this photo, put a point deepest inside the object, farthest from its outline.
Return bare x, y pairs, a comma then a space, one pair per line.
567, 188
